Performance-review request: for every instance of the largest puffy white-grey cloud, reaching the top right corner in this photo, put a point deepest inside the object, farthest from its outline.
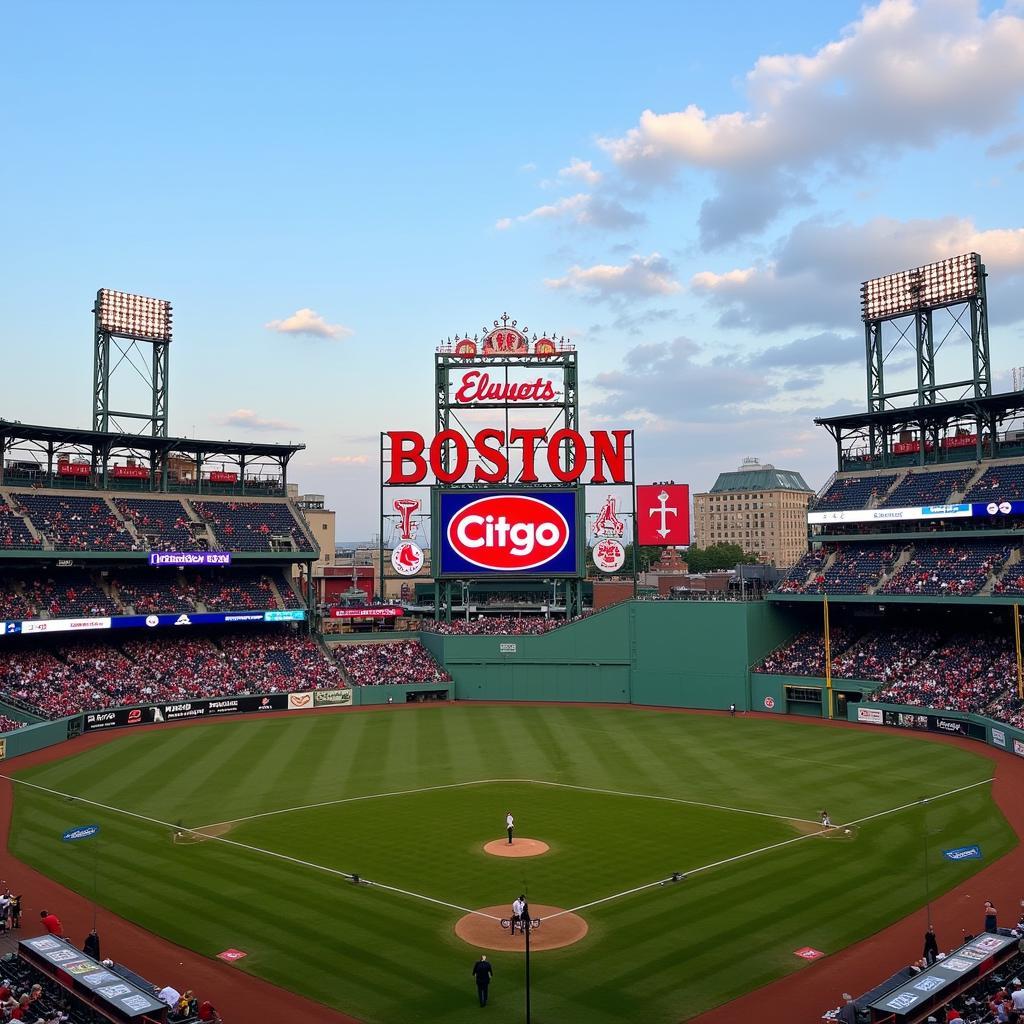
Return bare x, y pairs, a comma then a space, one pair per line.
906, 75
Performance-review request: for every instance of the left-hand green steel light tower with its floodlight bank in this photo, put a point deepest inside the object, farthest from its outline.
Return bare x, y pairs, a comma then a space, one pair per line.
123, 322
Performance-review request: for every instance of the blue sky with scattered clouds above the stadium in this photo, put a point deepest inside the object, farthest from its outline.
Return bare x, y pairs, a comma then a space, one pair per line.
692, 193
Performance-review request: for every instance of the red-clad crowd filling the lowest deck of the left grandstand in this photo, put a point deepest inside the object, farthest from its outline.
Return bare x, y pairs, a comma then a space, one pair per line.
77, 675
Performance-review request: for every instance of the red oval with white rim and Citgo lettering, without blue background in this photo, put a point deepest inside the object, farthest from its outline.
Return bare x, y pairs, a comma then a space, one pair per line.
508, 533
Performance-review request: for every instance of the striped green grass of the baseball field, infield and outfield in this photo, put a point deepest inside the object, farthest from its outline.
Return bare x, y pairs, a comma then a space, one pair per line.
659, 956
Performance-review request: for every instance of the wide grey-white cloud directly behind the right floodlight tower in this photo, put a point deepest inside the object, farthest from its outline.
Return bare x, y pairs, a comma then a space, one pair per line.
815, 279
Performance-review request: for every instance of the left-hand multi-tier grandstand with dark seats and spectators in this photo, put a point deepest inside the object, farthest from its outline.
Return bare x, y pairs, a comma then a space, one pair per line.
79, 520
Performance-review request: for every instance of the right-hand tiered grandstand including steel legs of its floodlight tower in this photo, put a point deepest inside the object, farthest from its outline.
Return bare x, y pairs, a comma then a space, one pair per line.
917, 545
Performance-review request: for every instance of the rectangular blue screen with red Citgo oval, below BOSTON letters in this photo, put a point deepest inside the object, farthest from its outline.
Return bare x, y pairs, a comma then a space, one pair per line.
518, 534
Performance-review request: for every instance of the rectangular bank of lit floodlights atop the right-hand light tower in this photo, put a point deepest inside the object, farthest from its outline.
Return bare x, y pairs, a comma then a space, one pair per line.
955, 280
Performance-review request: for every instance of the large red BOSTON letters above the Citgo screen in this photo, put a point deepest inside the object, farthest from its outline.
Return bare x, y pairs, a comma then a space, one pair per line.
569, 455
